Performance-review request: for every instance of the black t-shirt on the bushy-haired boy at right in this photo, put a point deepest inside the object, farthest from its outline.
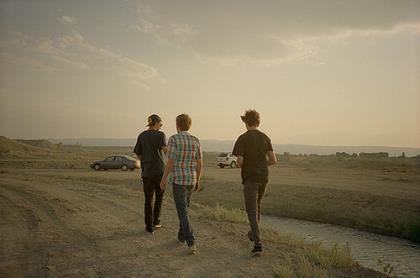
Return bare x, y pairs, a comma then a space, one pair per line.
253, 145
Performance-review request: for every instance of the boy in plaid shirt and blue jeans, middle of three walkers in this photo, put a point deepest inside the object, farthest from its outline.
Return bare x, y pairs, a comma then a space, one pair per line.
184, 165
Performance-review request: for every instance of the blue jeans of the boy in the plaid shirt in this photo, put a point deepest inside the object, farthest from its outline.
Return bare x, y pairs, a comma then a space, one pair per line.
182, 194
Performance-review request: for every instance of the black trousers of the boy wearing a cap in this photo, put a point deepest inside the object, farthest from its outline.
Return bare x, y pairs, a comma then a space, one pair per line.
151, 186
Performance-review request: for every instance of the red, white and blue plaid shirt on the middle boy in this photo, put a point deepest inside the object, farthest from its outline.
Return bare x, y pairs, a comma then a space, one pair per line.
185, 151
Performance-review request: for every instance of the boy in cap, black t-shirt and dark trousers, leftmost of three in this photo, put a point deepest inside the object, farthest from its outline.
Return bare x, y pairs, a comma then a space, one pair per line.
149, 147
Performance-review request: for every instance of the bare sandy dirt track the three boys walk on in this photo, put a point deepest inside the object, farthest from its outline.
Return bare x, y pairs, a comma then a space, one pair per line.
69, 224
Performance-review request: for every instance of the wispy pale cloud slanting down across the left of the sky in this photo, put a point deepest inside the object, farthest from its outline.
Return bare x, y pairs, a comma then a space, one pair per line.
73, 52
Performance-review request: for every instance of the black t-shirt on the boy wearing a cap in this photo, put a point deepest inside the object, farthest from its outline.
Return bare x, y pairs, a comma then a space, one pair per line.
148, 147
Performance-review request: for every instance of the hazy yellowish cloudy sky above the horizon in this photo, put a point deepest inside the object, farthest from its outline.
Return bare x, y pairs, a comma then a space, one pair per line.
319, 72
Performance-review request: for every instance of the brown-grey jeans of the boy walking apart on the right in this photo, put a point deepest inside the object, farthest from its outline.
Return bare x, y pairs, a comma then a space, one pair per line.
253, 194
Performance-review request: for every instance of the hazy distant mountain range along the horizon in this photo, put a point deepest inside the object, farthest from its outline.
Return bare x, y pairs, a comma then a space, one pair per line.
227, 145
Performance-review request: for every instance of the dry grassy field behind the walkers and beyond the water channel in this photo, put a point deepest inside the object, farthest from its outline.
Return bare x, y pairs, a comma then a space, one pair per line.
381, 195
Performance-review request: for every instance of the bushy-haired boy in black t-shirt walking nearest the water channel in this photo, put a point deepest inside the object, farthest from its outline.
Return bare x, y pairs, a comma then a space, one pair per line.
252, 148
